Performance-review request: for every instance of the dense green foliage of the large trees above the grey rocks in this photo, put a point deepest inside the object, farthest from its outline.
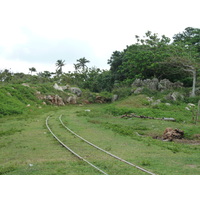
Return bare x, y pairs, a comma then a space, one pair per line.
152, 57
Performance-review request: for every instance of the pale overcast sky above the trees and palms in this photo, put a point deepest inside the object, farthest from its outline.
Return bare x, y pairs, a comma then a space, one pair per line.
36, 33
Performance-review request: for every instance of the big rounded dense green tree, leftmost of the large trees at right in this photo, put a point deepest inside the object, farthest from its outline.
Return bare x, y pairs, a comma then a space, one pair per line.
139, 60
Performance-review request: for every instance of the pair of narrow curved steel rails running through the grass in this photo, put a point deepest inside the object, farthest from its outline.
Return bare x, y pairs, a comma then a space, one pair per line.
93, 145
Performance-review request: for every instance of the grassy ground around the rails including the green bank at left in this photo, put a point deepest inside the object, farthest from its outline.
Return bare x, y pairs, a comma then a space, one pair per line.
27, 147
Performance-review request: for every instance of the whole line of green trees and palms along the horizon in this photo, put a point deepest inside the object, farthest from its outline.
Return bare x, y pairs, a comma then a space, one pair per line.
151, 56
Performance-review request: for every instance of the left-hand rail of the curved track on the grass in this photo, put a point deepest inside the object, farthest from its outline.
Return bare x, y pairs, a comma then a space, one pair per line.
72, 150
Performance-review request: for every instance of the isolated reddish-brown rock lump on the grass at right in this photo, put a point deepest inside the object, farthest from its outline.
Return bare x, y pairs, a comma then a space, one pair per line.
171, 134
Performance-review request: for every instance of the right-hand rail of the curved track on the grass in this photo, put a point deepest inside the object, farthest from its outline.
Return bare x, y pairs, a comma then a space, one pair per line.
114, 156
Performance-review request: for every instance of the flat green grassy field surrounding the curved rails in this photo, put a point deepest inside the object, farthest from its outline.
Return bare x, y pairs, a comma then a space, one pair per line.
27, 147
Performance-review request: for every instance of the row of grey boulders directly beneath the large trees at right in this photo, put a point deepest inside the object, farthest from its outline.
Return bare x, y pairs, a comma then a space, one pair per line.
154, 84
